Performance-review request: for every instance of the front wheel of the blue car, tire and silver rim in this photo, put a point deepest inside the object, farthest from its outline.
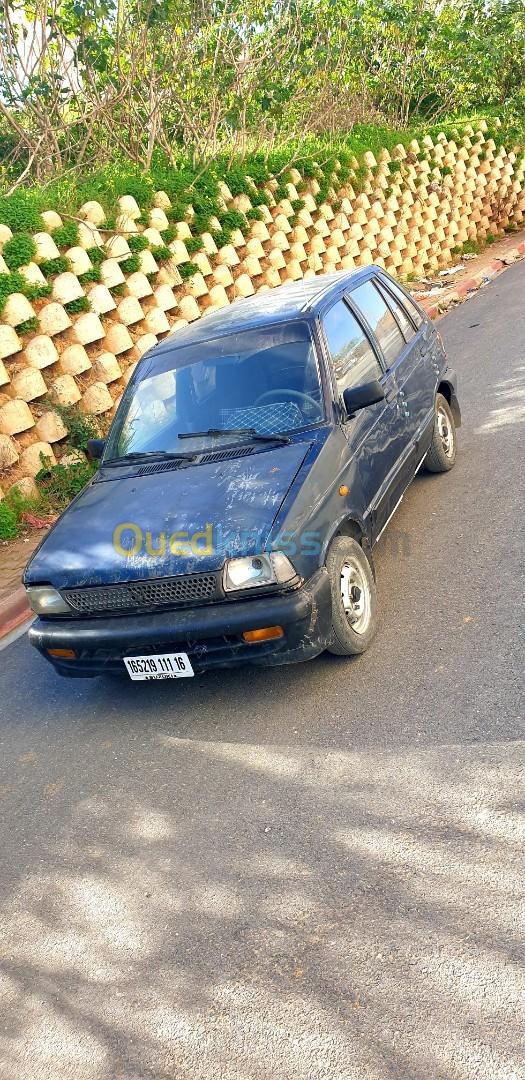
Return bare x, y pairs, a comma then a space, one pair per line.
351, 573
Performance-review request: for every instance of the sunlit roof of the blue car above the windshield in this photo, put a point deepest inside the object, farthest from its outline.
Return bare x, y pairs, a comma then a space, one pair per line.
284, 304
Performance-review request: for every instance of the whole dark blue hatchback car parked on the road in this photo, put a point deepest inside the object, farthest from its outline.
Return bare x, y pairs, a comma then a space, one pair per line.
254, 462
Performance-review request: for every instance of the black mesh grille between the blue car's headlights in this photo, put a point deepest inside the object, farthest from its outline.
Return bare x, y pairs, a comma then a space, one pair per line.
144, 596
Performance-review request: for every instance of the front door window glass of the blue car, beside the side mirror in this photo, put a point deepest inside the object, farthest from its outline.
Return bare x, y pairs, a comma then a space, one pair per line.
353, 356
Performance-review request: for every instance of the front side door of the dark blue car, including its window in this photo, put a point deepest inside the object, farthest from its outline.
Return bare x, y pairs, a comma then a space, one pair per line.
372, 433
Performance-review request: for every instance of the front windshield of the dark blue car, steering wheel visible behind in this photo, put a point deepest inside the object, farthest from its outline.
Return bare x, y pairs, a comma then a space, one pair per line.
257, 383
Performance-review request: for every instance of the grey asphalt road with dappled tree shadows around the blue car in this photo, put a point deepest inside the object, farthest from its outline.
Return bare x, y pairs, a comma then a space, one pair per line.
305, 873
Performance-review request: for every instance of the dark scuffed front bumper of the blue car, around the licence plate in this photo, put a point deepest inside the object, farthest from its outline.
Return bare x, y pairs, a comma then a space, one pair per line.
211, 634
